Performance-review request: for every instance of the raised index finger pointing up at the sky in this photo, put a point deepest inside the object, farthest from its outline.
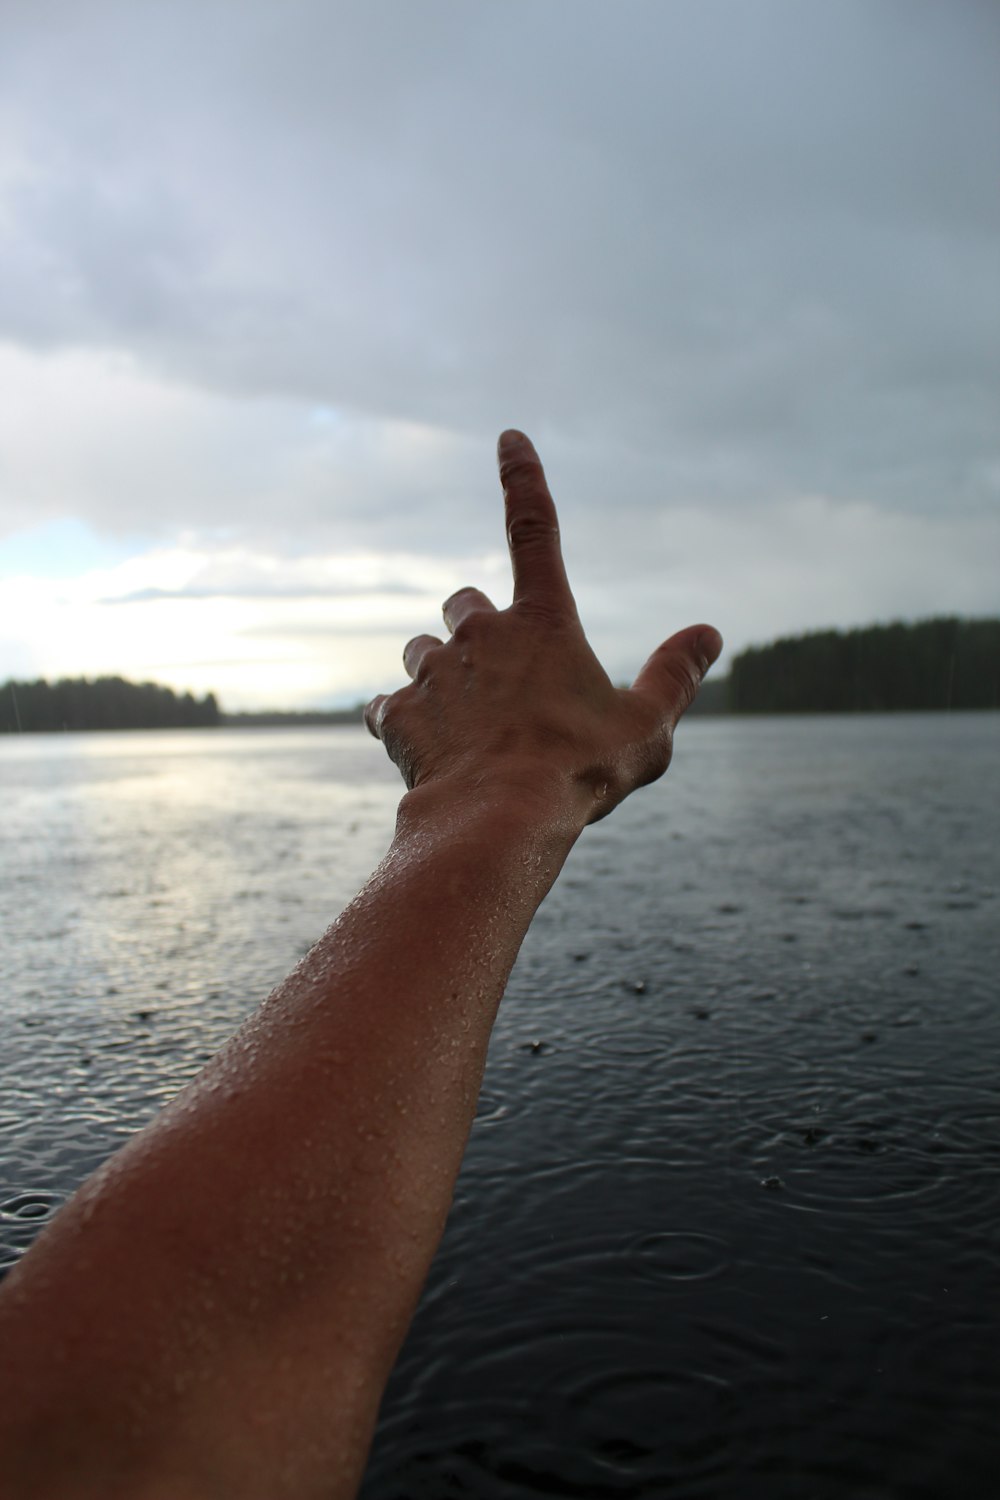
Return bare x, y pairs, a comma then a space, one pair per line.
533, 527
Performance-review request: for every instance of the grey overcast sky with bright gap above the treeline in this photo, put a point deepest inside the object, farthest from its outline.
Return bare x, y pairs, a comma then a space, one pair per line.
275, 274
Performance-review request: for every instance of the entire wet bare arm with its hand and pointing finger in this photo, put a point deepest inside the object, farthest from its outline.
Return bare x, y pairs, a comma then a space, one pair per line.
215, 1313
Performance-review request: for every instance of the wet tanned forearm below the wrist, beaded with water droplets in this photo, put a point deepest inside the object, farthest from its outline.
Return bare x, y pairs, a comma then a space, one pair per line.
251, 1262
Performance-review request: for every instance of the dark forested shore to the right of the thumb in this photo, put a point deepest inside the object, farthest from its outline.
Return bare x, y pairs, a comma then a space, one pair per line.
933, 664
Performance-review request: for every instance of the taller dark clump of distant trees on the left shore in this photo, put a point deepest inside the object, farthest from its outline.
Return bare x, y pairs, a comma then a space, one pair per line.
107, 703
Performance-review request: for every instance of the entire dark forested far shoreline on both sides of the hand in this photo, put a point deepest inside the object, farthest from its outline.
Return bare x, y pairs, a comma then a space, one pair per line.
944, 664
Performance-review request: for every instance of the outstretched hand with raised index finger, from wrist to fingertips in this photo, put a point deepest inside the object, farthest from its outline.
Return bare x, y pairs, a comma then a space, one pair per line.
516, 701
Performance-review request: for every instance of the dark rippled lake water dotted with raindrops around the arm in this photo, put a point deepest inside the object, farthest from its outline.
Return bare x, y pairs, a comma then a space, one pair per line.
729, 1225
